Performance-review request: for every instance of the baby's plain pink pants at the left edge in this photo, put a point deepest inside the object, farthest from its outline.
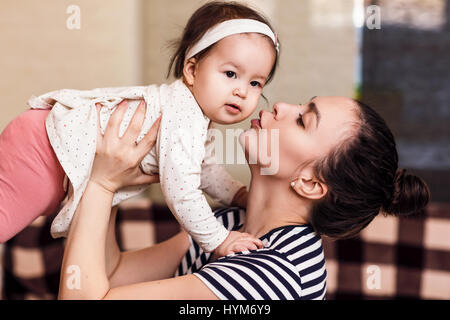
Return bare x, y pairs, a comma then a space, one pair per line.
31, 178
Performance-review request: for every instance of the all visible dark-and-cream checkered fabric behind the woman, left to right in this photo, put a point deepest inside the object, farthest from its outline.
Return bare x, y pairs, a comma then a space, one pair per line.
392, 258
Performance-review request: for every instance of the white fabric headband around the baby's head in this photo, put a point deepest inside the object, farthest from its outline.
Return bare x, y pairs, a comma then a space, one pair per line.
228, 28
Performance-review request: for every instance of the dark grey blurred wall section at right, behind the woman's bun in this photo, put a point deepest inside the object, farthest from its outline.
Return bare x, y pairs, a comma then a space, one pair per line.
406, 78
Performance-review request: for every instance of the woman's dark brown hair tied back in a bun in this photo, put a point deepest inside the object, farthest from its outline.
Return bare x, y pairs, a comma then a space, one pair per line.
363, 178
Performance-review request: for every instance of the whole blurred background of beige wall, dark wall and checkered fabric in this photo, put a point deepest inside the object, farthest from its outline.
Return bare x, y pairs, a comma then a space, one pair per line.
393, 55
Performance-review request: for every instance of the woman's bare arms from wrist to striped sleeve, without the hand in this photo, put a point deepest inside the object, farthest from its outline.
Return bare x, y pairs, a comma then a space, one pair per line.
84, 250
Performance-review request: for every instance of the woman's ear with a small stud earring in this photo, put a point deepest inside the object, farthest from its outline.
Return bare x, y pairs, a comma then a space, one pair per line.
308, 186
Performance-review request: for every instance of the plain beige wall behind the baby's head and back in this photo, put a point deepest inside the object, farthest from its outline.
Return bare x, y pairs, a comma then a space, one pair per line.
126, 43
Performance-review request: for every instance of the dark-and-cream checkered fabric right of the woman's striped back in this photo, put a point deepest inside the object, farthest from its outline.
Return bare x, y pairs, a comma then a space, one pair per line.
393, 258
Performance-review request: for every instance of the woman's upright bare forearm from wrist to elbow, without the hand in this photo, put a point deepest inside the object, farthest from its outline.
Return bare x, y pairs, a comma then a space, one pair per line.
85, 247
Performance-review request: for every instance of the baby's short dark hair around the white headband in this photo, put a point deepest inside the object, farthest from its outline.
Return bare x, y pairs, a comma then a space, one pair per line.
201, 21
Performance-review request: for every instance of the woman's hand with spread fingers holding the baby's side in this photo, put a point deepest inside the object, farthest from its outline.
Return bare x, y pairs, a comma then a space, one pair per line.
117, 160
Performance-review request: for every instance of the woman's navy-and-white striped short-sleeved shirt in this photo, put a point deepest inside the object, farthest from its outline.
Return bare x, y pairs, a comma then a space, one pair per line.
290, 266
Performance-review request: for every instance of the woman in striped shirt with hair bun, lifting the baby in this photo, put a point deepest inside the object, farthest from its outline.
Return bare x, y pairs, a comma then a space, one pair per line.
338, 170
